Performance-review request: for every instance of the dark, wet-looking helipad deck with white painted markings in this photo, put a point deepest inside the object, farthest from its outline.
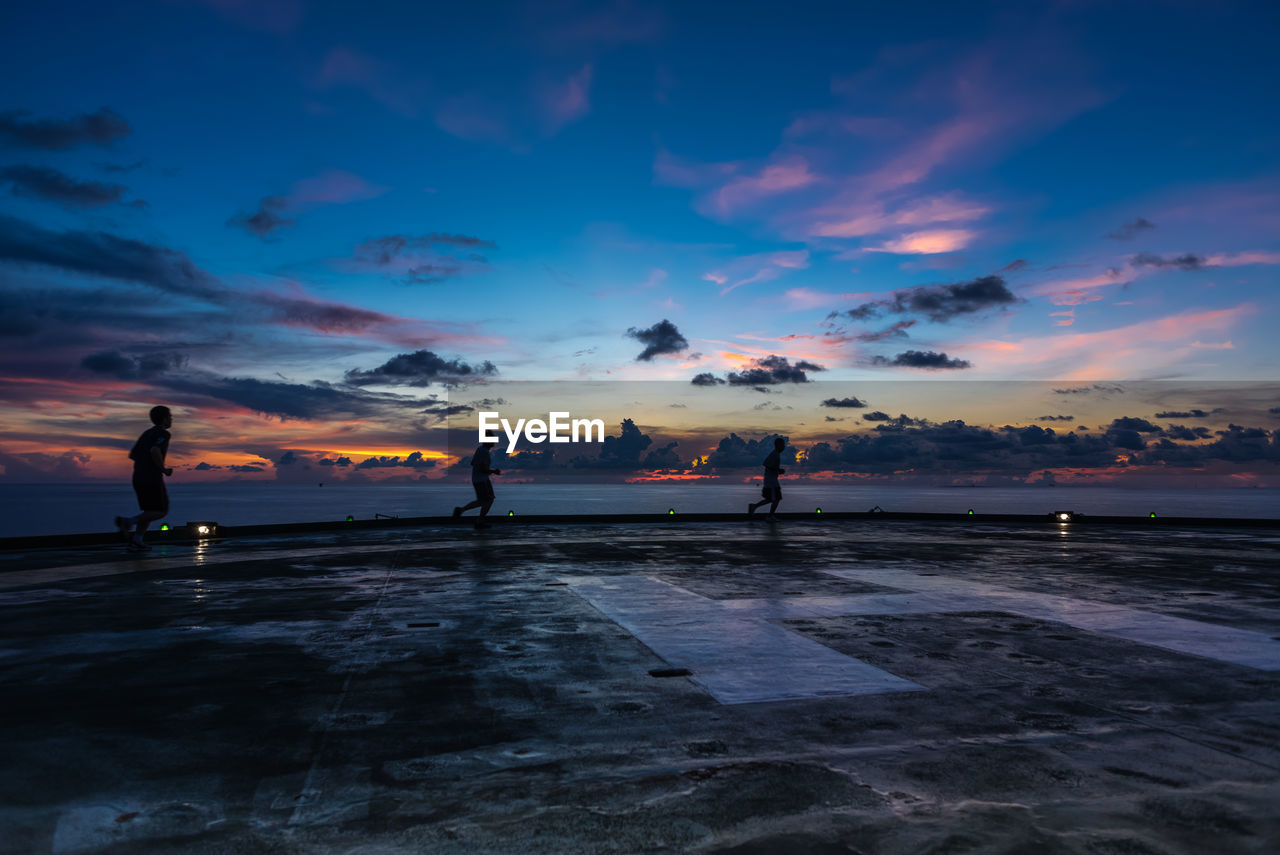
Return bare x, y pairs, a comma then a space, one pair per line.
808, 687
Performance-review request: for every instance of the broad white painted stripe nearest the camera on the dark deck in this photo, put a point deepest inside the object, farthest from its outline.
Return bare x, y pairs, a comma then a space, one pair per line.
738, 659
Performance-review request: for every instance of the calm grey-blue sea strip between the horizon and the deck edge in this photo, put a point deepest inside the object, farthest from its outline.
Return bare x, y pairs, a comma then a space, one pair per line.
61, 509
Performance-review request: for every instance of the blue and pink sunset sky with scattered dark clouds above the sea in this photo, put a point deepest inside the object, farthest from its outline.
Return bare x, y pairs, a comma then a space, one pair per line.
327, 234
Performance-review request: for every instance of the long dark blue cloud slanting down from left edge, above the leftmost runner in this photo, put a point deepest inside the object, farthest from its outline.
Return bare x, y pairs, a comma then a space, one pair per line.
106, 255
